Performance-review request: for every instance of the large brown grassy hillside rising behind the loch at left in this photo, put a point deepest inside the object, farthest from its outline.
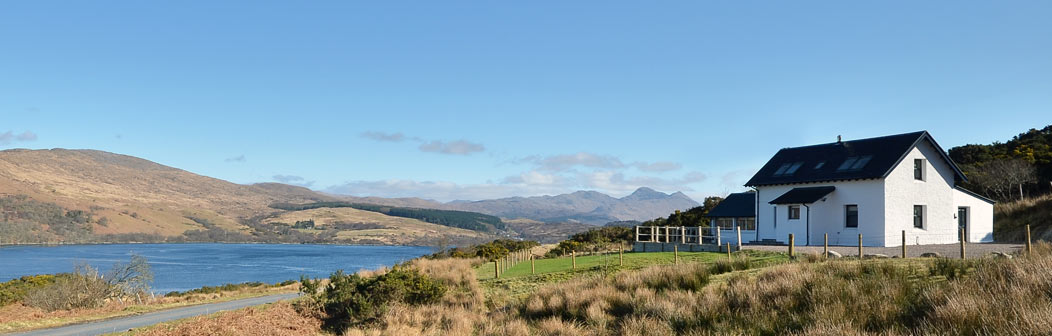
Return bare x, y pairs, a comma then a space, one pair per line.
85, 195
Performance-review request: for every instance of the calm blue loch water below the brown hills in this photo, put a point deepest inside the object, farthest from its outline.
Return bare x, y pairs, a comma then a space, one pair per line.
186, 267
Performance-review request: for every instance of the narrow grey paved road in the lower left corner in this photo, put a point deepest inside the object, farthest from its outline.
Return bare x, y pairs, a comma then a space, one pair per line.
125, 324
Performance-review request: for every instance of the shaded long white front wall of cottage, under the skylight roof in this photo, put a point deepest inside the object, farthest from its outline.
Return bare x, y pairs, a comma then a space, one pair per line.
826, 216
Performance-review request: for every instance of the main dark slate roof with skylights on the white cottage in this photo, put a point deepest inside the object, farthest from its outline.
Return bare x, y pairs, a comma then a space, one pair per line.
885, 153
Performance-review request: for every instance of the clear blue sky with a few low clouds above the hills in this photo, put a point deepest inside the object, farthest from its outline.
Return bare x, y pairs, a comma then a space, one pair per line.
472, 101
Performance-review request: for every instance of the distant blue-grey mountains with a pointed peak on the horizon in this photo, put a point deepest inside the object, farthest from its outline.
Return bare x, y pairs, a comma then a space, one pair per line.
588, 207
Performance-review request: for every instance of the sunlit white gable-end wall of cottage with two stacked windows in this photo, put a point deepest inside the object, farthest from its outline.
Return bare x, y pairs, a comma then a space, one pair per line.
935, 193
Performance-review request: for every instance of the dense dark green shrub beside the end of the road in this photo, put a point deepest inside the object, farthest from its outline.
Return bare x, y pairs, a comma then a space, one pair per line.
351, 301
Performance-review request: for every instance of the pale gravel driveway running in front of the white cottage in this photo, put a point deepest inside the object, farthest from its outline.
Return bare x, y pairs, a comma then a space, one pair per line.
972, 250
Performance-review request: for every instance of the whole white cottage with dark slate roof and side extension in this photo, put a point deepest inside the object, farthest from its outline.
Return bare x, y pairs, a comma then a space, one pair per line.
877, 187
